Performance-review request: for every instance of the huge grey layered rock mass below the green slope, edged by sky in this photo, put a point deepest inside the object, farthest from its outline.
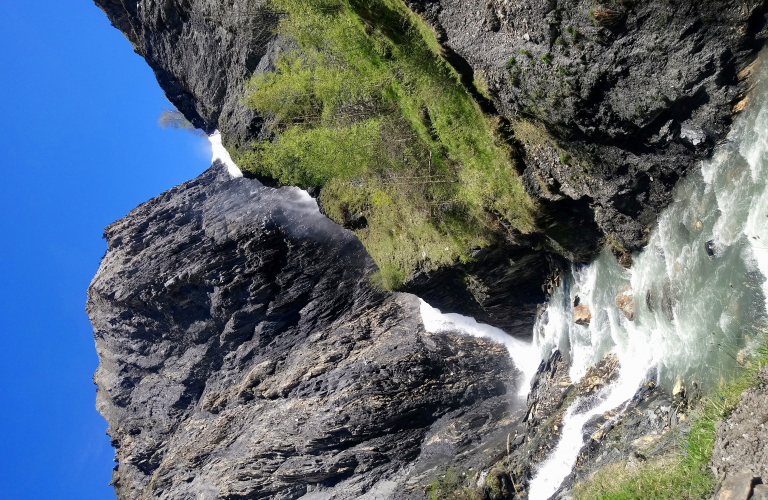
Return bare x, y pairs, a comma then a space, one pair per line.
243, 354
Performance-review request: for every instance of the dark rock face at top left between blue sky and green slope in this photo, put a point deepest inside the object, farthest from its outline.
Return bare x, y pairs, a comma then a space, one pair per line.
202, 52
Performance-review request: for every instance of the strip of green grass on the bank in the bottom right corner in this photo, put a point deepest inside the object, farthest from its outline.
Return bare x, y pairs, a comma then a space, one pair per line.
682, 474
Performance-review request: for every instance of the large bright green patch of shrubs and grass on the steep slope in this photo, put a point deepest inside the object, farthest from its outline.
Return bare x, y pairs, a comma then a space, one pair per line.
365, 107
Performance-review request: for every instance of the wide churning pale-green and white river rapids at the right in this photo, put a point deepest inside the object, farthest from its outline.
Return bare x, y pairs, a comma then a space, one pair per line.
693, 312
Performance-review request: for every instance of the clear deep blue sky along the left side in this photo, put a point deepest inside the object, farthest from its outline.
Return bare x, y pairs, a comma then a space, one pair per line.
80, 148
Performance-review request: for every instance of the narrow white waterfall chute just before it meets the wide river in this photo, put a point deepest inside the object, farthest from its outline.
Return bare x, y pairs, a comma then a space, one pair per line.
523, 354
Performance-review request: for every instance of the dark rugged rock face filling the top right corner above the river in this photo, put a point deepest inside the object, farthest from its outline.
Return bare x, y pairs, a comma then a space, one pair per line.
634, 92
